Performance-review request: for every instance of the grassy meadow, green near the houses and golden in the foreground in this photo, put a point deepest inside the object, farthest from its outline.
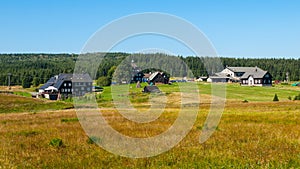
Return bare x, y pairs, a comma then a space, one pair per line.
258, 133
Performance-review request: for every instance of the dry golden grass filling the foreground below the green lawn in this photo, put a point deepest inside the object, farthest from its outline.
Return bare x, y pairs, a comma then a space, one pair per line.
250, 135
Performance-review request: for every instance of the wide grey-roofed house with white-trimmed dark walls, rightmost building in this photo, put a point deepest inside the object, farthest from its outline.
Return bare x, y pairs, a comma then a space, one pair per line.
247, 76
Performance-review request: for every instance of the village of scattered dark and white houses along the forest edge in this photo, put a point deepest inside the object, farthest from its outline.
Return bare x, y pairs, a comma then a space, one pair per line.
64, 86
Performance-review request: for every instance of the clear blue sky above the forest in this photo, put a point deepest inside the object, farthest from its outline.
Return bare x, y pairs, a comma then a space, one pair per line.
237, 28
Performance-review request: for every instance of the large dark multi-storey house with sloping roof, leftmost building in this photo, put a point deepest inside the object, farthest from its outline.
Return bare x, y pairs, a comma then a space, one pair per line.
66, 85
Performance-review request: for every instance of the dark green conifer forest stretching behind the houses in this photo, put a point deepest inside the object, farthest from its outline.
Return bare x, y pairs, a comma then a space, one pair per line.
35, 69
